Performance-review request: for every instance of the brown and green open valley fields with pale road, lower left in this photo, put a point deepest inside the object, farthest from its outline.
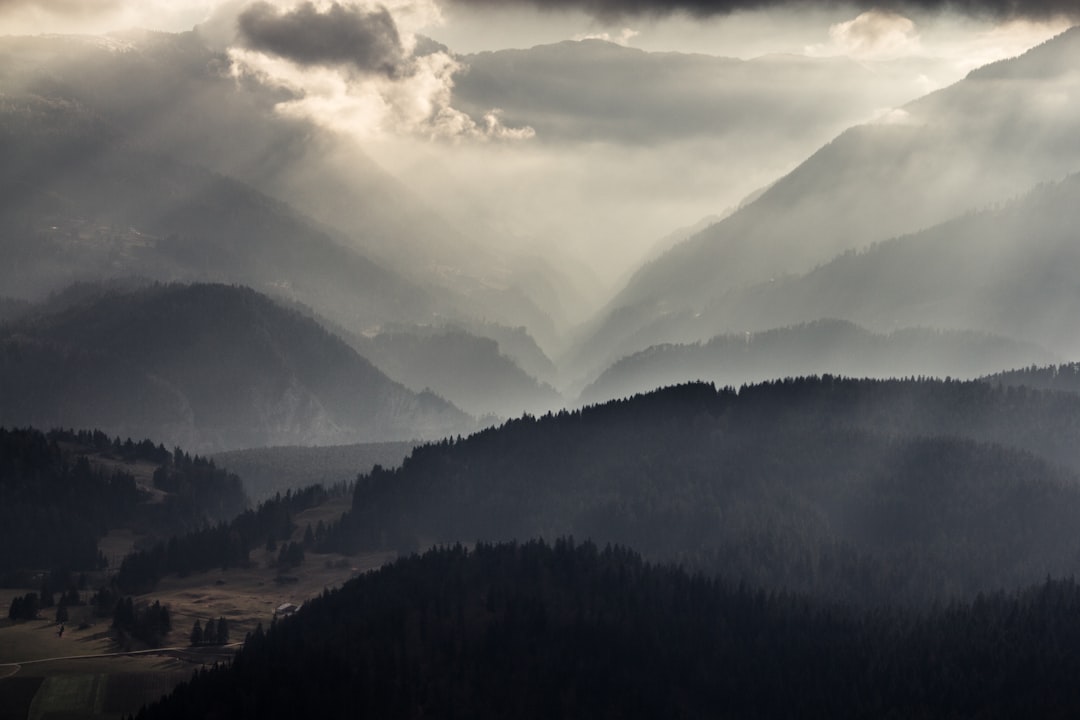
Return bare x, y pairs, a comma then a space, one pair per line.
82, 675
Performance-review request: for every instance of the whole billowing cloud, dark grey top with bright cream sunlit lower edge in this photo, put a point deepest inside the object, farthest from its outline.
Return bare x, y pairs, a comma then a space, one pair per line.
354, 71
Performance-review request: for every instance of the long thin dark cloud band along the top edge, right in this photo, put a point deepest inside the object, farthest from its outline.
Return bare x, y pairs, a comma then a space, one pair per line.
616, 9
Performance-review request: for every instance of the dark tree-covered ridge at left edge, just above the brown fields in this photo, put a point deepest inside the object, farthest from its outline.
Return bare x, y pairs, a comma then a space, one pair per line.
62, 492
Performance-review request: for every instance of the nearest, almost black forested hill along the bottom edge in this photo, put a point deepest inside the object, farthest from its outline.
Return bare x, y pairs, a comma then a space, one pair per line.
572, 632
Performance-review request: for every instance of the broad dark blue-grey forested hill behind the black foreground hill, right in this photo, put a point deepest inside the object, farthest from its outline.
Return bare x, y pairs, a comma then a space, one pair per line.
856, 490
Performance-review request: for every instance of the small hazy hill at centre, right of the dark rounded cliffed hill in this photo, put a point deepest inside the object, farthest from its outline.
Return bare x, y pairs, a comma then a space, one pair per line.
467, 371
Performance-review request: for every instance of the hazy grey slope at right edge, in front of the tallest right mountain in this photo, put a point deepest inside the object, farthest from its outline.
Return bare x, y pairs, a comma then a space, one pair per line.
1008, 271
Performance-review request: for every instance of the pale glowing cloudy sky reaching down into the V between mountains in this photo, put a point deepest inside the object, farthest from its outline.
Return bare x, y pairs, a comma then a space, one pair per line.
590, 157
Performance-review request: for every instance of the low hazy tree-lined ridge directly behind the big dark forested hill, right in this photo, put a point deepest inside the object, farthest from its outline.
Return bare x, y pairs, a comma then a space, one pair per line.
818, 348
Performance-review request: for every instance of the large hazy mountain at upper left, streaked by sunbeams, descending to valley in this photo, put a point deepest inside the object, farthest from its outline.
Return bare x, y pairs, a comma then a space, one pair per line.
169, 100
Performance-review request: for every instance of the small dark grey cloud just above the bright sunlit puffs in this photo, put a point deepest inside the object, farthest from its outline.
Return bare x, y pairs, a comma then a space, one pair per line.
343, 35
